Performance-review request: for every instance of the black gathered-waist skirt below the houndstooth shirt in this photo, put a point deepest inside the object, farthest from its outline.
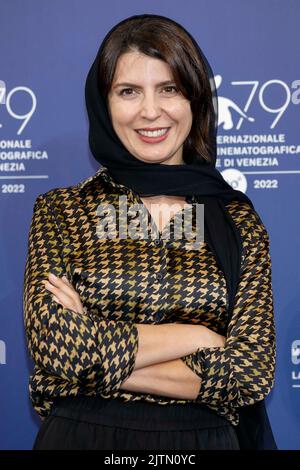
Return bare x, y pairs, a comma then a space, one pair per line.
94, 423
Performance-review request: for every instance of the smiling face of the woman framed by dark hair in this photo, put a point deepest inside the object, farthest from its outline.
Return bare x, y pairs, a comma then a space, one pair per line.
139, 101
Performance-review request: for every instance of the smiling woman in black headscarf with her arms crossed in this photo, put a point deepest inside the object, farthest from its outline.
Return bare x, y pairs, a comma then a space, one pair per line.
150, 342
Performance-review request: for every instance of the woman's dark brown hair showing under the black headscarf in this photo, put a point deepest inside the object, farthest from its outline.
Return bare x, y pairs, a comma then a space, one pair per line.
164, 39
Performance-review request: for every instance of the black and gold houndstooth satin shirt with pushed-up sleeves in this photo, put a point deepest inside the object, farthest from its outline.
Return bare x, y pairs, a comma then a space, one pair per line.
125, 281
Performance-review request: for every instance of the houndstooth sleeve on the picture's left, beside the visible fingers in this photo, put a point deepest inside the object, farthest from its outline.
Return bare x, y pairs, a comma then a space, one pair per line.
93, 352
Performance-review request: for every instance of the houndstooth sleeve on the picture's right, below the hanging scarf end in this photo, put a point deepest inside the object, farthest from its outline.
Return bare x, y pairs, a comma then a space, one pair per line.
242, 372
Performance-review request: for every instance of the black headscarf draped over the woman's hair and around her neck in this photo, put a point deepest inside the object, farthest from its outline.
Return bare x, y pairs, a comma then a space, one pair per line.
199, 178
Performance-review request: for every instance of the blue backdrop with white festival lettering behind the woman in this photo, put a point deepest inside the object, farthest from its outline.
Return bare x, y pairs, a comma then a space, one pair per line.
46, 50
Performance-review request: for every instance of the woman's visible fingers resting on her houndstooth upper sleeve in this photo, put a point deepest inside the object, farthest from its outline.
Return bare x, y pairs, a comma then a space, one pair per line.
64, 293
